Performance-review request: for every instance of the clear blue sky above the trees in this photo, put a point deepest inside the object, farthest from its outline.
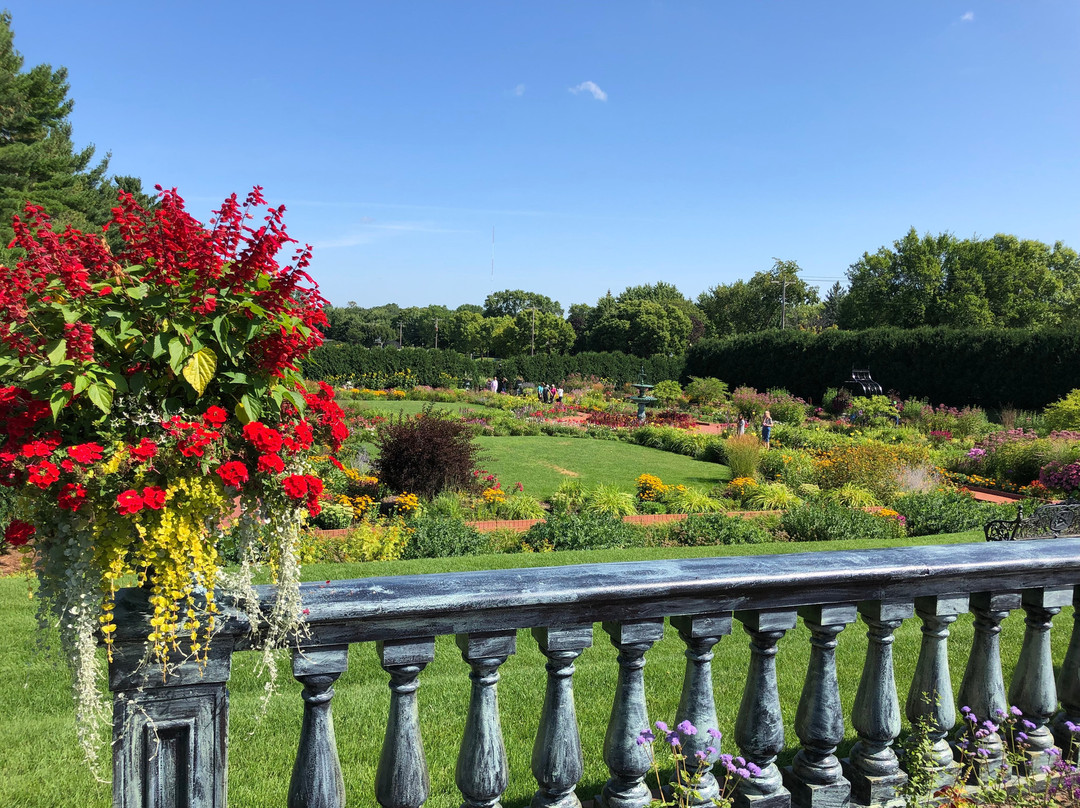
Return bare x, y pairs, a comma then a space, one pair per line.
609, 144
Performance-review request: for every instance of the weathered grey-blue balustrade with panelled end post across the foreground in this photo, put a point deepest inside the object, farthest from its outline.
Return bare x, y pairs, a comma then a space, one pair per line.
172, 736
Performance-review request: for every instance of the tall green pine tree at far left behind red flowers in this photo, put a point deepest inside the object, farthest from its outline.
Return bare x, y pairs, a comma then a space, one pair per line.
38, 160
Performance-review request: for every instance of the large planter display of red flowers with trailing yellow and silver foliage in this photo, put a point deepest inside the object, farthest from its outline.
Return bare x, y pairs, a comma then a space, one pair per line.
144, 395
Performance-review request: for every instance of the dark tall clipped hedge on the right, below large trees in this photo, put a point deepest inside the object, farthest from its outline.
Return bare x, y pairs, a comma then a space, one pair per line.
991, 369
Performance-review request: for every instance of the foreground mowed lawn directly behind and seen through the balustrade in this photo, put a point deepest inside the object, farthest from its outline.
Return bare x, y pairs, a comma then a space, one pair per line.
43, 770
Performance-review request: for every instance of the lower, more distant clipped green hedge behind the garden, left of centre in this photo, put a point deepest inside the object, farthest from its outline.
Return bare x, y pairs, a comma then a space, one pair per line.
381, 367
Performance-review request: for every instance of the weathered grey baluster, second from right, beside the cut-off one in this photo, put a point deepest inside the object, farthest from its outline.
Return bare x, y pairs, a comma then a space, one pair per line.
1033, 689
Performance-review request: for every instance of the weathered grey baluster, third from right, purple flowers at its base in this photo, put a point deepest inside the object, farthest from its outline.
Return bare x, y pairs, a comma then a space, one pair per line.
983, 689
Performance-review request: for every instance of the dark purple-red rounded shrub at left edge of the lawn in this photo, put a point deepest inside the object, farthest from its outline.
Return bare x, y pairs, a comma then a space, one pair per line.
426, 455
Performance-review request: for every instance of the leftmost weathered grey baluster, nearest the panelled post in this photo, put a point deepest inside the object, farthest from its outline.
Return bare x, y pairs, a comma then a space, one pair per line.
317, 775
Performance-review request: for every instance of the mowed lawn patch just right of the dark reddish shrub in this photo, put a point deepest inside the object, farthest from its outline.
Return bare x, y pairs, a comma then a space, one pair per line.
542, 464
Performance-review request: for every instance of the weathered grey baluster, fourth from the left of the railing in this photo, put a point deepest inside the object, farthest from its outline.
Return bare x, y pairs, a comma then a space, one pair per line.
558, 763
